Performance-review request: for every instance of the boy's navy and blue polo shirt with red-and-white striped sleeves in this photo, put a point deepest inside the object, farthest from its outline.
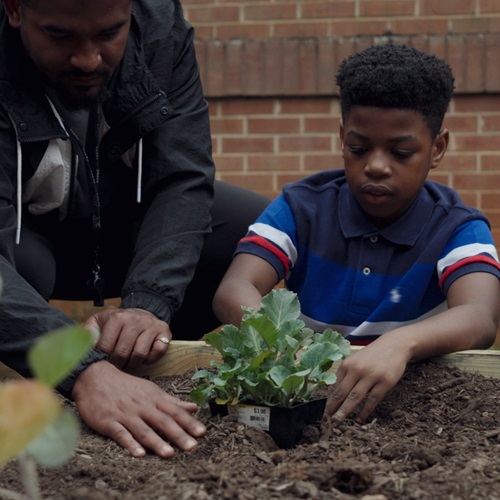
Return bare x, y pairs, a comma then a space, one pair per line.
360, 280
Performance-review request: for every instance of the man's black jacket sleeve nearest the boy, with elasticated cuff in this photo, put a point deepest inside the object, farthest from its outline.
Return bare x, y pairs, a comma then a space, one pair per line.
178, 185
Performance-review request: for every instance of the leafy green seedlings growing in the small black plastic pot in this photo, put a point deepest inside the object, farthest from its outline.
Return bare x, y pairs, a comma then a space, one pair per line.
272, 359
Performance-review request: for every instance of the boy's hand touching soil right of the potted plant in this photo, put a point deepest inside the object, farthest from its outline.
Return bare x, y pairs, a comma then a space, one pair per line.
365, 377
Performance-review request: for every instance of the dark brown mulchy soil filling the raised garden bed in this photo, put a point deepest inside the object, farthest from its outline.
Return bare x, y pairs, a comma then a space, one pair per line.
435, 436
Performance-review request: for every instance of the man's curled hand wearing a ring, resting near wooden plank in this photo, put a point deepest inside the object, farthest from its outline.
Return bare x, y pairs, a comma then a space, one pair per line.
130, 337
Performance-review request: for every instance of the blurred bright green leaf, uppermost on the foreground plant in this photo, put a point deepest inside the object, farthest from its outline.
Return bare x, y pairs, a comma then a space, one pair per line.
55, 355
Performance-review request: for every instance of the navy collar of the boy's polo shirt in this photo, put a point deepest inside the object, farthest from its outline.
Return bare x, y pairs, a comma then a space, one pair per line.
404, 231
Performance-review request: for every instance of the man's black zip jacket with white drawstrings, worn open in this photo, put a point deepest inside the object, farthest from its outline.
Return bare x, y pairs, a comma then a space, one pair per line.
154, 95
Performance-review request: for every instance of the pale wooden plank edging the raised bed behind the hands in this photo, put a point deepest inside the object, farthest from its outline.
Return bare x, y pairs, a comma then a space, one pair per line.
184, 356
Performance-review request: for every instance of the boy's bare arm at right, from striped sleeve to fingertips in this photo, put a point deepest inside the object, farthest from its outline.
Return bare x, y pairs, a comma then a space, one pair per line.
470, 322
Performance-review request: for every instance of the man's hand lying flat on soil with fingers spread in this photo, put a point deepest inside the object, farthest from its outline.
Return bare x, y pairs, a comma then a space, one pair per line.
135, 412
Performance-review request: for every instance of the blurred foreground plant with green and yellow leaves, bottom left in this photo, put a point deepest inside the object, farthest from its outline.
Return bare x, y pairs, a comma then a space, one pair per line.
33, 425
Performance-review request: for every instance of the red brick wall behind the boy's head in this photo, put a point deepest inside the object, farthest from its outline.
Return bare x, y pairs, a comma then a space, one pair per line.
268, 71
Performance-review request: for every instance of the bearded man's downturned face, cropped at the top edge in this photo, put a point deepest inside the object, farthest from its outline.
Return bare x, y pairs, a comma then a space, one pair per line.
76, 44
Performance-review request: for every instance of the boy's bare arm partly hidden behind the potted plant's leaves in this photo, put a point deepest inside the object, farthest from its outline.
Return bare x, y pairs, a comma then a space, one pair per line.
246, 281
